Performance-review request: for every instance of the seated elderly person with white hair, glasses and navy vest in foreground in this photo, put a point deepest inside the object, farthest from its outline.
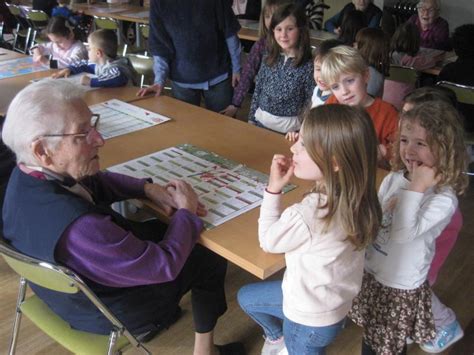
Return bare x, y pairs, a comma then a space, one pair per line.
57, 209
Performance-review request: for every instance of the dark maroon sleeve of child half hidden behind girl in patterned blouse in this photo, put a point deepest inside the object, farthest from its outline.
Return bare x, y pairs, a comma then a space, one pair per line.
249, 71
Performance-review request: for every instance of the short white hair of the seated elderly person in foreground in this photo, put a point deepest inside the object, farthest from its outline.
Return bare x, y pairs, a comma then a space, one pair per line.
38, 109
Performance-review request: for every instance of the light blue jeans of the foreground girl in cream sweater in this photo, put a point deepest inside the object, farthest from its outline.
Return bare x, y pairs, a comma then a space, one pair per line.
263, 302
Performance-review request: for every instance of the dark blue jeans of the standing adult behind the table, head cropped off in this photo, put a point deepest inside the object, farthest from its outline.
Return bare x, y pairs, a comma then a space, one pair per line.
217, 98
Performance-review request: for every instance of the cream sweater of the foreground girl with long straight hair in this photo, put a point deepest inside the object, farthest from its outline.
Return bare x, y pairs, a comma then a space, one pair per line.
323, 271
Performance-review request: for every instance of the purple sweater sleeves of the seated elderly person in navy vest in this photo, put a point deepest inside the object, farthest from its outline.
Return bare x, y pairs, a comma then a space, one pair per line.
97, 248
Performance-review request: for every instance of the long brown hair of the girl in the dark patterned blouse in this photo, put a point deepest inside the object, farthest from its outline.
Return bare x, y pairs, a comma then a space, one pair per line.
303, 50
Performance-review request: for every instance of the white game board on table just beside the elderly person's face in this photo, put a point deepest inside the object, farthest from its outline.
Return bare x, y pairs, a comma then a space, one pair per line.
118, 117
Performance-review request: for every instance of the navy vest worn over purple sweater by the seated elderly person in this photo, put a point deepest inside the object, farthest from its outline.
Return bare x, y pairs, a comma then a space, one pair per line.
36, 213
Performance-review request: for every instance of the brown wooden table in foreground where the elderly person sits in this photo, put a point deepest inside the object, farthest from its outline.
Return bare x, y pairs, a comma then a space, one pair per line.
236, 240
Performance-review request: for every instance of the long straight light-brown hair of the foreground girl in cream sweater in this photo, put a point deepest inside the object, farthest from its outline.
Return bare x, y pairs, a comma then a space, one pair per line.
342, 141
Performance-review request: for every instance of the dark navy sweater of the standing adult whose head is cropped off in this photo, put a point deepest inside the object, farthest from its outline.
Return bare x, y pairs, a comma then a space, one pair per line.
190, 36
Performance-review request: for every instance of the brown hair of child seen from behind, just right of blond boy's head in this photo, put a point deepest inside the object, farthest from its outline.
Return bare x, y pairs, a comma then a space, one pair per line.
374, 45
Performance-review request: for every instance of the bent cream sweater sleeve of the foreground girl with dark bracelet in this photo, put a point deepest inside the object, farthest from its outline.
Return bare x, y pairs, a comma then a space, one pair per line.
281, 233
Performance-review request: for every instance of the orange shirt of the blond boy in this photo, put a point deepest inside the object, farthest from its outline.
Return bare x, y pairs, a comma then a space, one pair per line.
385, 119
